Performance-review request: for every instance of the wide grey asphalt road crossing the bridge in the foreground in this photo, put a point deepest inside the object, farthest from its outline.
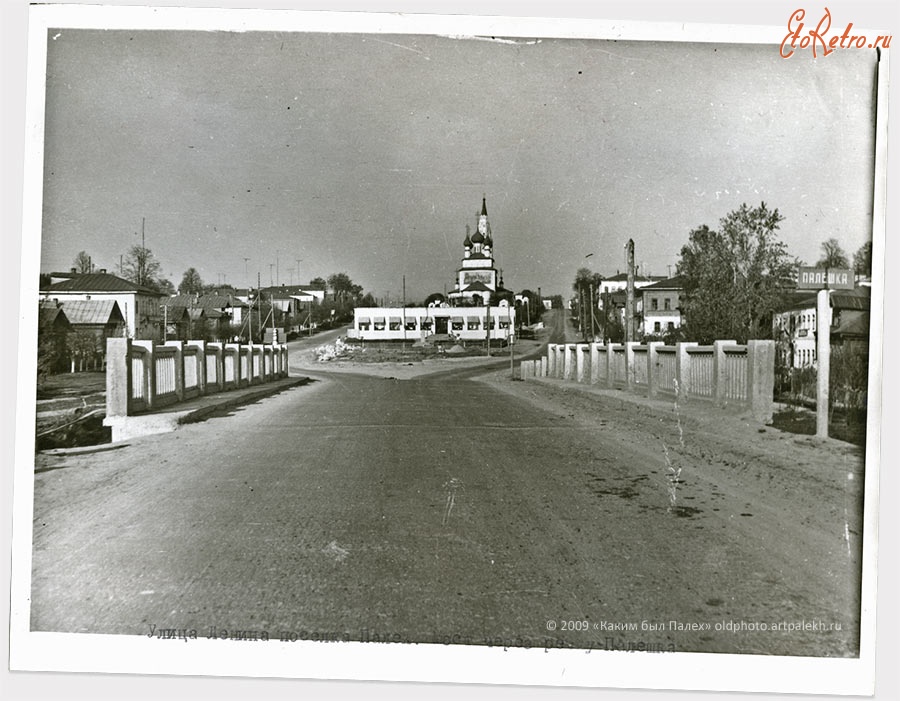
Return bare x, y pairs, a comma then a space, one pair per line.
437, 509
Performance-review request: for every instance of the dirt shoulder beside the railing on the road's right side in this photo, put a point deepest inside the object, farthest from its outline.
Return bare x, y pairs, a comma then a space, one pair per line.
796, 499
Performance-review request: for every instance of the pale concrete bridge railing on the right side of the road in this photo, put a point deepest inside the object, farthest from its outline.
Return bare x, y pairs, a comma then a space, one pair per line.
724, 373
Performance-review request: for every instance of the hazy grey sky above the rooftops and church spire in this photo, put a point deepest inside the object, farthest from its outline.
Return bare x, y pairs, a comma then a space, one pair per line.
282, 156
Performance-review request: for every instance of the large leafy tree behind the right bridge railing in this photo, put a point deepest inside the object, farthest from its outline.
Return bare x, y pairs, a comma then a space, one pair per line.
734, 277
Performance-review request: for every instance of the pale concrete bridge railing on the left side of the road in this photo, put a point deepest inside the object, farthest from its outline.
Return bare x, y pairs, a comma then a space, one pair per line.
142, 376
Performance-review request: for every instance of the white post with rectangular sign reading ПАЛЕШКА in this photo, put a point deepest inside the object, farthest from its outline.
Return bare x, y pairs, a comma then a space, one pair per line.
824, 280
